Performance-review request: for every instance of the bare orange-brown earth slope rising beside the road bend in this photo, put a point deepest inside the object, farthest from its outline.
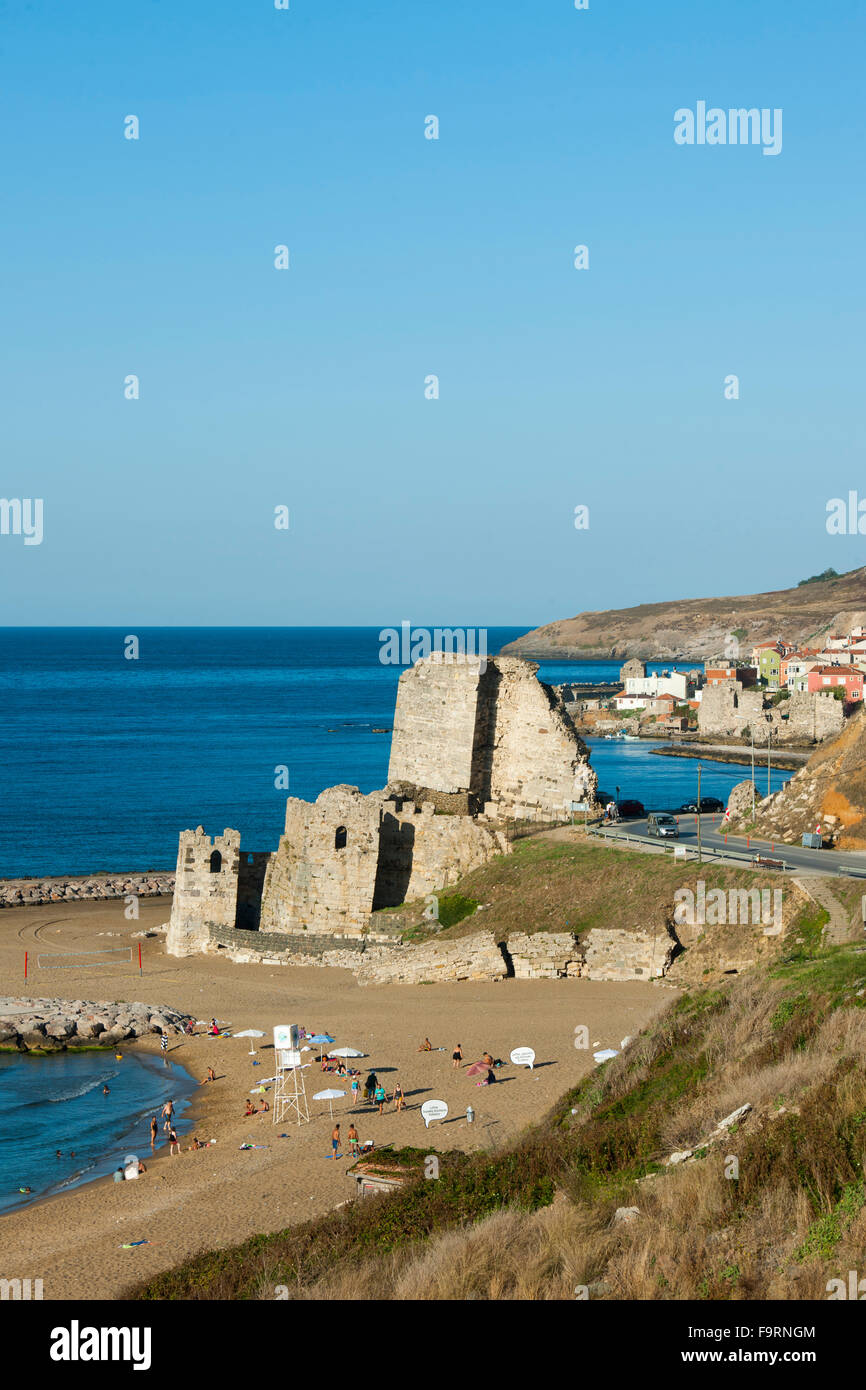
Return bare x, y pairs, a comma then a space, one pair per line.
831, 790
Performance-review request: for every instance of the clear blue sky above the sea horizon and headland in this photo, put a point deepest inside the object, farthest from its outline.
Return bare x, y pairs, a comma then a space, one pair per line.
411, 258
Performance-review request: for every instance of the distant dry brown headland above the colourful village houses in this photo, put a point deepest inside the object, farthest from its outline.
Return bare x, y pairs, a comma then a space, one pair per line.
698, 629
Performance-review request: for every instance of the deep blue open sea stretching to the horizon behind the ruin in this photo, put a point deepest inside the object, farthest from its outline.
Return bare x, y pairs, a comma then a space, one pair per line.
104, 760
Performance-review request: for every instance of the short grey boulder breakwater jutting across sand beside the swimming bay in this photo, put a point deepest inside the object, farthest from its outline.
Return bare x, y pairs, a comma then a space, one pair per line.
54, 1025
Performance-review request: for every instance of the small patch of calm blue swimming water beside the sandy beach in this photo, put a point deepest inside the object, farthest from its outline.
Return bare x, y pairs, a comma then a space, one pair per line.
56, 1103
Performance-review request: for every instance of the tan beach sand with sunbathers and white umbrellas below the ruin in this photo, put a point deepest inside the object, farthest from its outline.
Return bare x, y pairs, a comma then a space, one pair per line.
222, 1196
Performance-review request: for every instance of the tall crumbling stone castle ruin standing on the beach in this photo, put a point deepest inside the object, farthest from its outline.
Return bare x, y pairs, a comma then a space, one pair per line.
476, 746
